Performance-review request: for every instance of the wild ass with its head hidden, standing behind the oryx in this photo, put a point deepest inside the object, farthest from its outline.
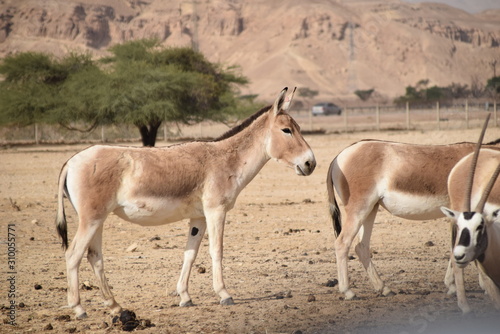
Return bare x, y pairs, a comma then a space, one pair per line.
409, 181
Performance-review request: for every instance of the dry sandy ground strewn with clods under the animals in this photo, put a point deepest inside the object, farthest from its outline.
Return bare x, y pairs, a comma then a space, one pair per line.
278, 253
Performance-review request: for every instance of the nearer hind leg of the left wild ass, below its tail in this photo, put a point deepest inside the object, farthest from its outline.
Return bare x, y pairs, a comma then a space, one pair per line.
74, 255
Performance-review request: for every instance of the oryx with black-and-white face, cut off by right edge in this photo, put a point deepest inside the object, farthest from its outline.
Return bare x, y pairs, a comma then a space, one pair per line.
476, 234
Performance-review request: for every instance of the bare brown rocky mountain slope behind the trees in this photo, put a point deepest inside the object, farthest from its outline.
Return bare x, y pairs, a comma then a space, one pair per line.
332, 46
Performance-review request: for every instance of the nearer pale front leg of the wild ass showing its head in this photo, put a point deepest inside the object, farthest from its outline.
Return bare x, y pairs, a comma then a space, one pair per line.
215, 225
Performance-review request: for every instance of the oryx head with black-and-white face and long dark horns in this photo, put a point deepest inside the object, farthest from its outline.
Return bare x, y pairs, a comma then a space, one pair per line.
469, 230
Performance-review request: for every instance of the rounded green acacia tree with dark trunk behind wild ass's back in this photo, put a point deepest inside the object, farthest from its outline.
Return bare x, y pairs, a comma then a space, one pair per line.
151, 85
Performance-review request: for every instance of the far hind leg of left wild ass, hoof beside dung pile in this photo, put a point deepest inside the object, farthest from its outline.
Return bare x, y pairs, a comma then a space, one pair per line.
94, 256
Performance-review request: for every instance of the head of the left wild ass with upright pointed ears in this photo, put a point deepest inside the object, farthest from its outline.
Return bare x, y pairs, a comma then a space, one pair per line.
285, 143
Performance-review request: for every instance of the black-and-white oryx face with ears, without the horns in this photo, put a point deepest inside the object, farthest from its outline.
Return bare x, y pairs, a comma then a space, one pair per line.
469, 236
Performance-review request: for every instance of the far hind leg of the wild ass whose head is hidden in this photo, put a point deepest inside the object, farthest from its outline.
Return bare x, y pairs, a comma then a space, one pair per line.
363, 251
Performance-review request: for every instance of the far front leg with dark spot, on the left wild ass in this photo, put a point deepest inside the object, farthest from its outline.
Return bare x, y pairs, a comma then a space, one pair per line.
197, 229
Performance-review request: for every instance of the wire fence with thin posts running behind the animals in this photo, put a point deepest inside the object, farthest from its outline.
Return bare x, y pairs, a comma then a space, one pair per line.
352, 119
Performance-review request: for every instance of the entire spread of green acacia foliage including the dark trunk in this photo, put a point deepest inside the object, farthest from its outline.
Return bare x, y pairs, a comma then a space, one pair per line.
141, 83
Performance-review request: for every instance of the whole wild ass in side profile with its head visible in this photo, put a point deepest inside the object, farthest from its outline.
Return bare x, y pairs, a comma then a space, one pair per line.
155, 186
